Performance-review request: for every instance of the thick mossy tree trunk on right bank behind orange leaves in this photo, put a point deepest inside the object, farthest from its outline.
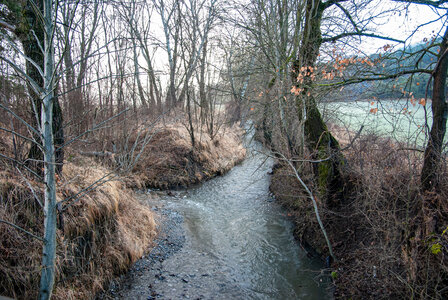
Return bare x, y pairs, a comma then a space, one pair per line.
319, 140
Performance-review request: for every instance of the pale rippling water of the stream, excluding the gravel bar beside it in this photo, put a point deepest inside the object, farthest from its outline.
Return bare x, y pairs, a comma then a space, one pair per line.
233, 219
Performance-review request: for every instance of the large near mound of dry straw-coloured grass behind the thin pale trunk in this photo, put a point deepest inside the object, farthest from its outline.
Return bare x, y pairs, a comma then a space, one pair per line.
103, 234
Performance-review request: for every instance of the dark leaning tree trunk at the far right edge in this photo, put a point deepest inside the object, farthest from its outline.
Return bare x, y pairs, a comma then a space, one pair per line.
433, 151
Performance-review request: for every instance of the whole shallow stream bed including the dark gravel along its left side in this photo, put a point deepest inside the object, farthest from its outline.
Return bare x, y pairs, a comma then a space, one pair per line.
225, 239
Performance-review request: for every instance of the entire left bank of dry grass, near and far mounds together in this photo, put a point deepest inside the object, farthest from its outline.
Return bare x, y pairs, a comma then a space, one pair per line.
109, 228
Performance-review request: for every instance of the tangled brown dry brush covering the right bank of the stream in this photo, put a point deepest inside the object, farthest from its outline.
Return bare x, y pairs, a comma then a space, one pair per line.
383, 231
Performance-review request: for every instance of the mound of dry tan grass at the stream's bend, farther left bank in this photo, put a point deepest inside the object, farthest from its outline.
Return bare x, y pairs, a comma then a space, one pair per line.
170, 161
